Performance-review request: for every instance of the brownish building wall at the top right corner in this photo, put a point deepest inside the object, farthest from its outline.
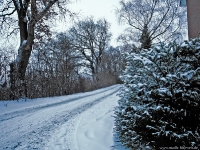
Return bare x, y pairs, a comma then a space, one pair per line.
193, 14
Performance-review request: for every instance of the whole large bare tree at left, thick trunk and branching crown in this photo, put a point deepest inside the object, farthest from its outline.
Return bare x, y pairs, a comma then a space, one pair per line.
25, 16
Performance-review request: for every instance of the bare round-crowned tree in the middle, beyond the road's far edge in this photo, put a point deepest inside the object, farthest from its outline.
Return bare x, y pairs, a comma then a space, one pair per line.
90, 39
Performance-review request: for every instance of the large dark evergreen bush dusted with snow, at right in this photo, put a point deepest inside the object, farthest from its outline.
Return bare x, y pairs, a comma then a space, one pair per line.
160, 99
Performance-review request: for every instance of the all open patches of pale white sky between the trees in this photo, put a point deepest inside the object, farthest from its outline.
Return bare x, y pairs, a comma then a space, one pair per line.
96, 8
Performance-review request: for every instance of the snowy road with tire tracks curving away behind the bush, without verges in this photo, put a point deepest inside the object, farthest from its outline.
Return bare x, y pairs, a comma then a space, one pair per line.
31, 128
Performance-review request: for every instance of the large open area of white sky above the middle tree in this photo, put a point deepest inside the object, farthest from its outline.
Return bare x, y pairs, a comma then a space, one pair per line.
99, 9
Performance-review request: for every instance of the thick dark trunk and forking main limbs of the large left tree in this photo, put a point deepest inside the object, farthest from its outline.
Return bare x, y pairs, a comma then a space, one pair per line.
18, 66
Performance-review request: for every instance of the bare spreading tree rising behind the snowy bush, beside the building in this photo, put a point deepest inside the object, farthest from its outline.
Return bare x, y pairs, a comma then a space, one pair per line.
151, 20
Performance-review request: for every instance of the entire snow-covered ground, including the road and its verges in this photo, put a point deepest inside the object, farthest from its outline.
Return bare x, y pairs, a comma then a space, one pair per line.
82, 121
